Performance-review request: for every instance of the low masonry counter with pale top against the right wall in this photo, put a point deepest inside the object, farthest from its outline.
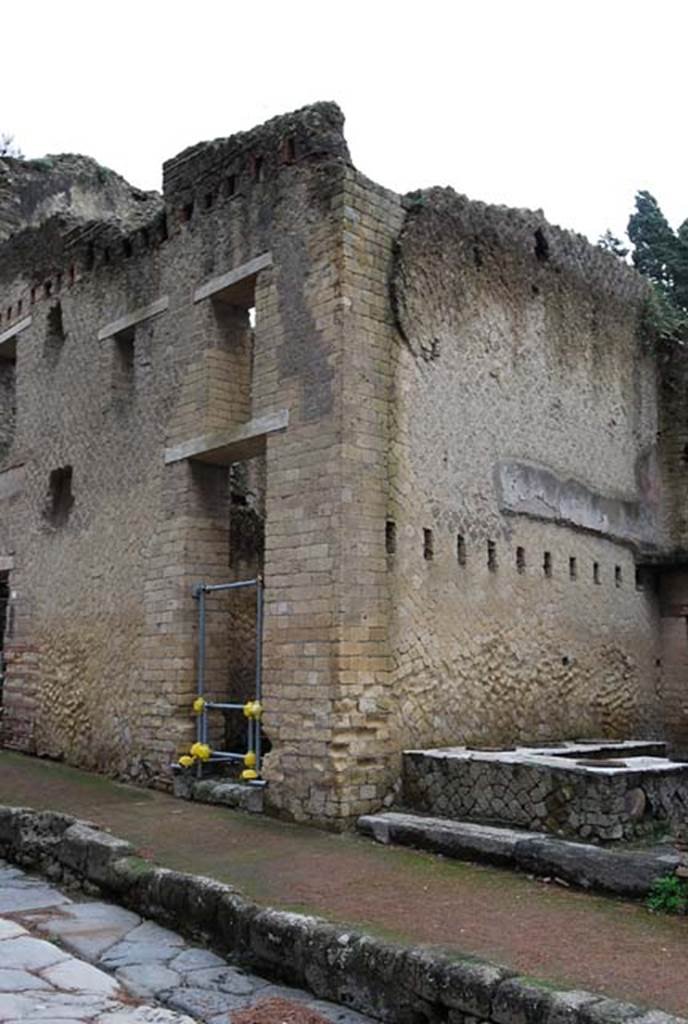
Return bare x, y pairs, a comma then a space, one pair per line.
598, 804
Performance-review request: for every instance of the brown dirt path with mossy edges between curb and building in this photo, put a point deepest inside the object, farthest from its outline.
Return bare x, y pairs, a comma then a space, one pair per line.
547, 932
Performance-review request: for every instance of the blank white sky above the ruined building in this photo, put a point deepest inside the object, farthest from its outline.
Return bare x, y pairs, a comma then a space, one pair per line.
570, 107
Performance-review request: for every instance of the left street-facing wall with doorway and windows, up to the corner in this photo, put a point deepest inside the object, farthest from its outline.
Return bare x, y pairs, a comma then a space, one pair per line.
108, 538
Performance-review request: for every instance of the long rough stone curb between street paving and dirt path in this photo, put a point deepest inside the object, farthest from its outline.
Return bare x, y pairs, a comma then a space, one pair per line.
404, 986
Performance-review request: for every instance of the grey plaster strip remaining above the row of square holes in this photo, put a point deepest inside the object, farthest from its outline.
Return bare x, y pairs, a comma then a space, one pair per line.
535, 491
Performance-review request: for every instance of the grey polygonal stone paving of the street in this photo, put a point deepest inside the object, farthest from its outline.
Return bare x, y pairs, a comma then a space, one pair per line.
75, 963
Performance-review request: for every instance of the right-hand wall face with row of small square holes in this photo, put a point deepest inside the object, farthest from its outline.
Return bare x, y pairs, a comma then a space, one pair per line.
524, 480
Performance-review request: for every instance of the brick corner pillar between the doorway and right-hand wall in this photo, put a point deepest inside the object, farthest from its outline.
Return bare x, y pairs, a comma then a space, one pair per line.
327, 662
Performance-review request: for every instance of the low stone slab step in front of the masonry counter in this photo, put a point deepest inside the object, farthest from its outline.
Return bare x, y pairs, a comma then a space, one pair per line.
624, 873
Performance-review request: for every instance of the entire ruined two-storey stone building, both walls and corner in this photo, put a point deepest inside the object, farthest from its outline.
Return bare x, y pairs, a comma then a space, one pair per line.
446, 419
